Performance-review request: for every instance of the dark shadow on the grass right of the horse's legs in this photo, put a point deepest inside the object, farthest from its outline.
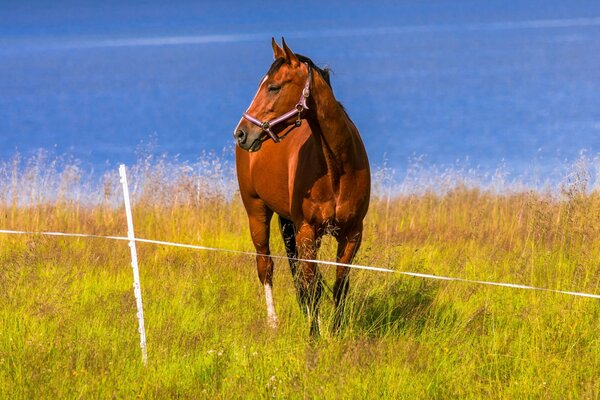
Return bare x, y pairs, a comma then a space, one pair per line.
398, 308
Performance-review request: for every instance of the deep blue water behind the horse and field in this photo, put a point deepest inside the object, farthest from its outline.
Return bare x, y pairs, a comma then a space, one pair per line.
482, 82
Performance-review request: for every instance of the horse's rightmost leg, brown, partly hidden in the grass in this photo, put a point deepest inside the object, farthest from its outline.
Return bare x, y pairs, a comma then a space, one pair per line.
348, 245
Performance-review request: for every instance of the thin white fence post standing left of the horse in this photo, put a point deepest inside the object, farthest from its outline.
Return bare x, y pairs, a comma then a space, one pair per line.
137, 289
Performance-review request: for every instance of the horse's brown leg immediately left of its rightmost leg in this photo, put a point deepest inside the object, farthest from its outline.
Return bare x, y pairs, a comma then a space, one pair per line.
309, 281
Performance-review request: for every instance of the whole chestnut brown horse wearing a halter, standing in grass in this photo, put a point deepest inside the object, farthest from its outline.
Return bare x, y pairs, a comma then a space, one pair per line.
312, 170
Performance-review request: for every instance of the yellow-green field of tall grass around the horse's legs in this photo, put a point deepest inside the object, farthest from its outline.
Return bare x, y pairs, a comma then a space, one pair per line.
67, 311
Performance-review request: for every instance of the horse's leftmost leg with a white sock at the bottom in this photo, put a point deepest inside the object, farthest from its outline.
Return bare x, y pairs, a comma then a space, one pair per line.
260, 221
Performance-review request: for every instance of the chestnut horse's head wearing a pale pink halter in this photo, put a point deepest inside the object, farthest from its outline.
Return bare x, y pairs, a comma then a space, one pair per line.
281, 100
